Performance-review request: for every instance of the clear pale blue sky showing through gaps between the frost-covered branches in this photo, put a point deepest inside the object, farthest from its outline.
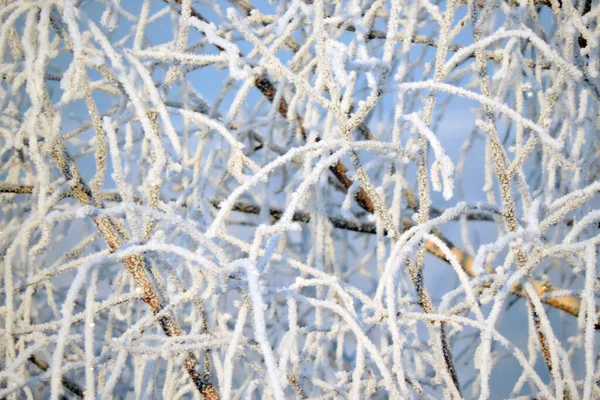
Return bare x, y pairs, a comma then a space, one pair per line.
453, 129
